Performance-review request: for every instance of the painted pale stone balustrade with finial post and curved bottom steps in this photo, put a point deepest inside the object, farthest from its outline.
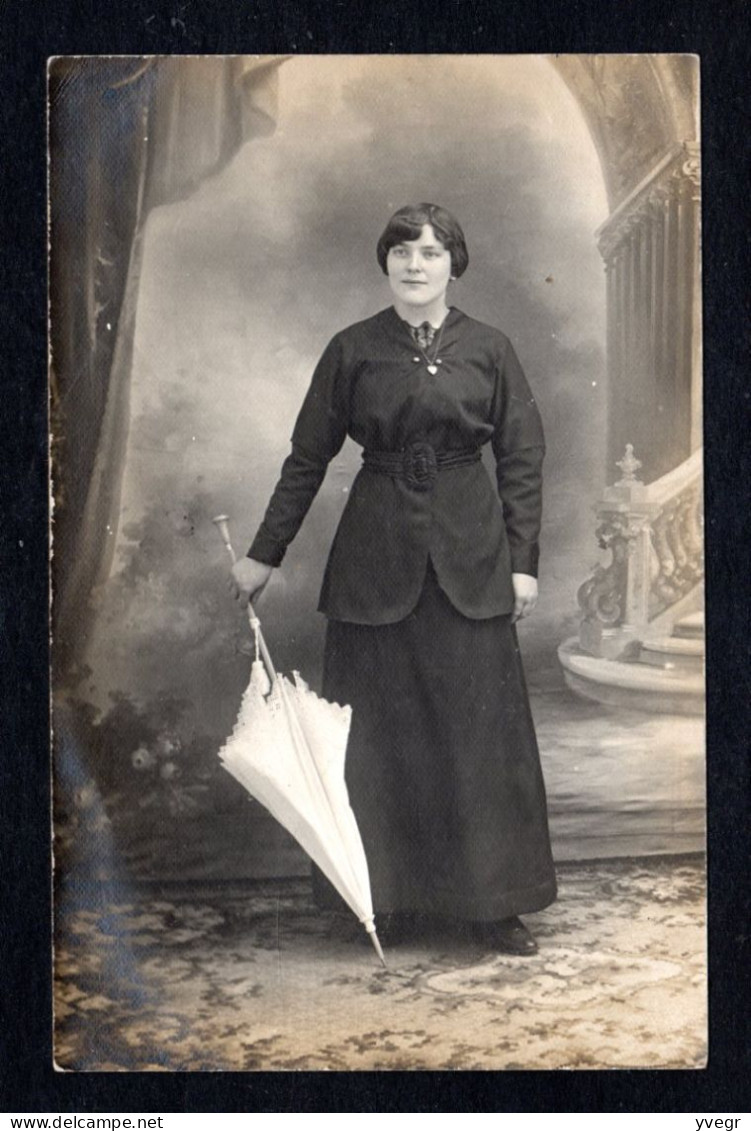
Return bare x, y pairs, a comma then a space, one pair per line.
642, 638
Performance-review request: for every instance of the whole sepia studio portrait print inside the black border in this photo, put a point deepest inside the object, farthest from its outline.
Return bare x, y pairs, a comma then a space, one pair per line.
377, 571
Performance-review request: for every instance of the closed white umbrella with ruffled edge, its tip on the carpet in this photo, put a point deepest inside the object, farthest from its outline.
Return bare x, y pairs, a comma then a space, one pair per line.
288, 749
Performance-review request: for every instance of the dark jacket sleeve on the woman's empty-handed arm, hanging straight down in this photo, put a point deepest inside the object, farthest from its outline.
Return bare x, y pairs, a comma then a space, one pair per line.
520, 447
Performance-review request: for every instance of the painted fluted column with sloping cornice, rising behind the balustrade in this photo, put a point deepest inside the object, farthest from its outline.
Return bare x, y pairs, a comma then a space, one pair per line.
651, 247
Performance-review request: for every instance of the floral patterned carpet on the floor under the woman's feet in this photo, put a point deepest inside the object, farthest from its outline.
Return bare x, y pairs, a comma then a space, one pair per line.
243, 981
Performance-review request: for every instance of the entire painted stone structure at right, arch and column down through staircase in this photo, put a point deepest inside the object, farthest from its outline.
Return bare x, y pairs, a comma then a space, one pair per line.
642, 636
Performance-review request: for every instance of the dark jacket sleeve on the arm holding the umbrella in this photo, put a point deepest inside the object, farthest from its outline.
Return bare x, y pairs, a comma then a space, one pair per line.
318, 436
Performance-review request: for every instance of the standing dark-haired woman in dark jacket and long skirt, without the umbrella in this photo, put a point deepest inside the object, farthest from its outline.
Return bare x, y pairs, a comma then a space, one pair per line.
426, 577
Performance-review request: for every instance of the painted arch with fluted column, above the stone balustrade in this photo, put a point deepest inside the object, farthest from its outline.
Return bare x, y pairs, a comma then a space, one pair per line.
642, 111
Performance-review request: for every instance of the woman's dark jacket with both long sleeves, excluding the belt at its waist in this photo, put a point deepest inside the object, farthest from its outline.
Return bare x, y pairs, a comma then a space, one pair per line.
374, 385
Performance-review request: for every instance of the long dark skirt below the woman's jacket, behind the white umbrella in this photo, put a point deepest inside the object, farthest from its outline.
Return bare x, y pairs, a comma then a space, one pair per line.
443, 764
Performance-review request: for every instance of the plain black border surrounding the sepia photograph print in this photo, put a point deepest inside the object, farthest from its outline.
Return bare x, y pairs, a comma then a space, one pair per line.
33, 31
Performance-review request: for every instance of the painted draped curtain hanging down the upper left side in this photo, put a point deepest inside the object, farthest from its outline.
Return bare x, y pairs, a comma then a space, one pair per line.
126, 135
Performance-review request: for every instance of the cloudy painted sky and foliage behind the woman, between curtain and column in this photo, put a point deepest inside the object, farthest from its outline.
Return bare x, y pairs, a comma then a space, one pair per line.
241, 287
